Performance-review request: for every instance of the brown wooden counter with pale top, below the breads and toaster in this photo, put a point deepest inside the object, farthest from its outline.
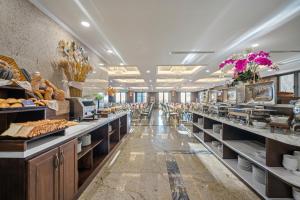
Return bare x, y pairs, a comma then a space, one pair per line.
52, 169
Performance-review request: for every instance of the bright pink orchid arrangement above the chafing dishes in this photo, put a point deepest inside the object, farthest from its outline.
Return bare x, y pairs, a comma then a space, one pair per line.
248, 62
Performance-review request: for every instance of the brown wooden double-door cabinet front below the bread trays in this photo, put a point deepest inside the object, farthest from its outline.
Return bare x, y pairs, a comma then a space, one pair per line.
53, 175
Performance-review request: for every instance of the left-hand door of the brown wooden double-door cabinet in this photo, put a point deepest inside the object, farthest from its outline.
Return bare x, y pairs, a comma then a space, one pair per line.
43, 177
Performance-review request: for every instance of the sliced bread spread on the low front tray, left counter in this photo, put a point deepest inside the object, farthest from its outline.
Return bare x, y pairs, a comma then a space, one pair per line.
36, 128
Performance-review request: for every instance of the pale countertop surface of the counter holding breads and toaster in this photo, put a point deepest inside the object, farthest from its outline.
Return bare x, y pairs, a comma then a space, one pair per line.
71, 132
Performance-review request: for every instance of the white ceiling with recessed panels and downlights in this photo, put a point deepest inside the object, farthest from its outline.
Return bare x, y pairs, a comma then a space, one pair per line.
142, 33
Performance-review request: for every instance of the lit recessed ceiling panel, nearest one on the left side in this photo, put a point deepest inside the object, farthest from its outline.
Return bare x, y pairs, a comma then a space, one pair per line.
121, 70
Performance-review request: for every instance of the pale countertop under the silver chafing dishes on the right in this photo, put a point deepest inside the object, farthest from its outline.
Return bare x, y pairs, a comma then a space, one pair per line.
284, 138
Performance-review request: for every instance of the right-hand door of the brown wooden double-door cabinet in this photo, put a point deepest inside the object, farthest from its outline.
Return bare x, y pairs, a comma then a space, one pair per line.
68, 170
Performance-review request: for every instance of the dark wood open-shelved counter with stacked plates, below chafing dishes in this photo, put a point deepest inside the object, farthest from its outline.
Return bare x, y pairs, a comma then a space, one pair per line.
241, 140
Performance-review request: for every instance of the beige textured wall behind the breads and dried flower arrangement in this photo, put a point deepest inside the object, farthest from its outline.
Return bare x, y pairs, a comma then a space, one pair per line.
31, 38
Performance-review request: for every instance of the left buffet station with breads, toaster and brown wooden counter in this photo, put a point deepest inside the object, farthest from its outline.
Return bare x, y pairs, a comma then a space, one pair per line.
43, 155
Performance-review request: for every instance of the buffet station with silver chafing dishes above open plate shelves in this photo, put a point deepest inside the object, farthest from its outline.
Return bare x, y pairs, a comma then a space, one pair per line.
253, 136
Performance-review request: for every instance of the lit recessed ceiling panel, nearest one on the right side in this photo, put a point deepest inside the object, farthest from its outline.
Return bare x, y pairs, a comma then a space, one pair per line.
178, 69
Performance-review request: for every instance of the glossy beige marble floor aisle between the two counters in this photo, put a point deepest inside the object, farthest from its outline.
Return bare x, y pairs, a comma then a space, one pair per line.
159, 162
